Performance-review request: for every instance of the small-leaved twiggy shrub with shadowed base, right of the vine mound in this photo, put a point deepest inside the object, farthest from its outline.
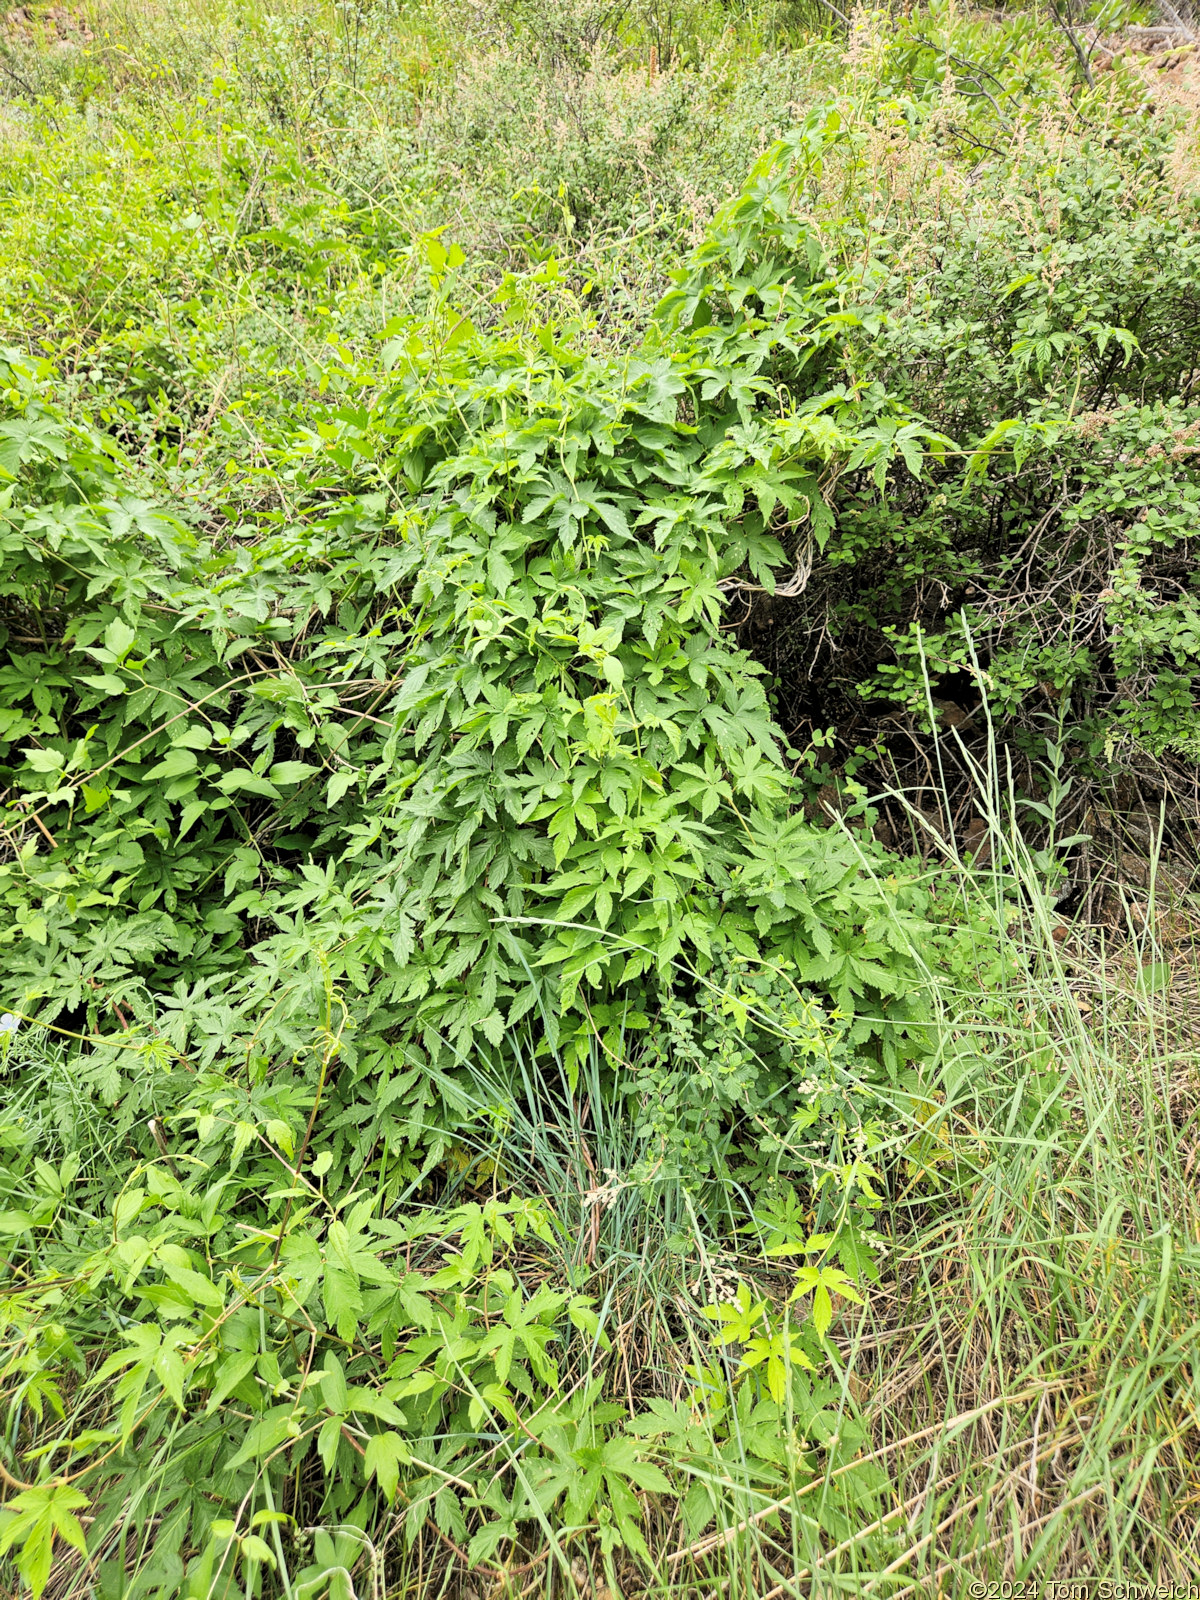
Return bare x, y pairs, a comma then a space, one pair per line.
1054, 342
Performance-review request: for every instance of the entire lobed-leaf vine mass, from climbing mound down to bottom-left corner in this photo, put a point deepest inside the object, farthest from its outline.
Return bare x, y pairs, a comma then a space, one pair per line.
318, 802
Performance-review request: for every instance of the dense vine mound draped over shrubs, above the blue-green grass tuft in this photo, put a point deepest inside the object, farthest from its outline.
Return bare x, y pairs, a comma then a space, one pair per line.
479, 689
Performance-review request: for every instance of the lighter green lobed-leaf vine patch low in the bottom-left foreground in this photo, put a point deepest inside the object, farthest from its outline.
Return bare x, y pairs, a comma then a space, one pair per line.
218, 1306
